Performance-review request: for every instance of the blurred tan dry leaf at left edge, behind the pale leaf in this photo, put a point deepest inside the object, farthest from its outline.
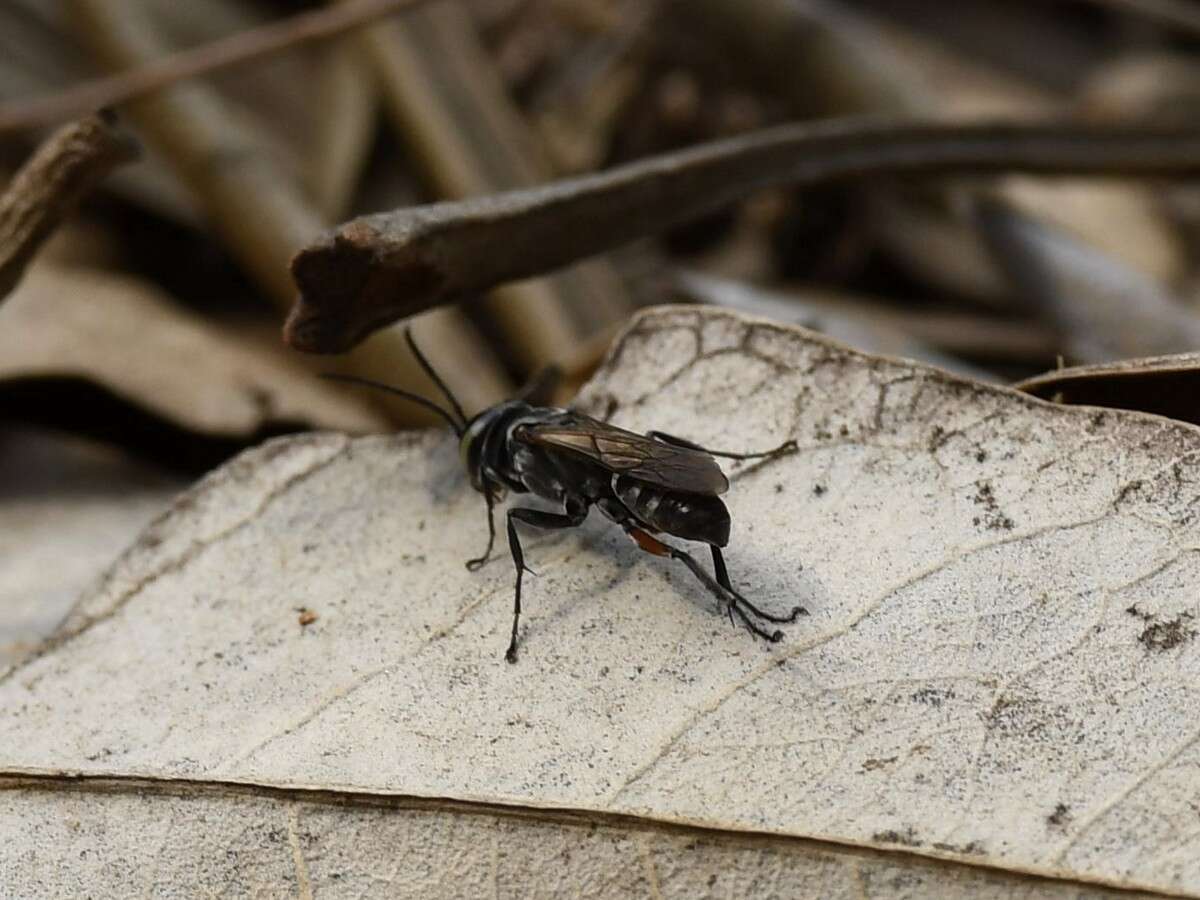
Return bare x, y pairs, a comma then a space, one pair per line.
67, 333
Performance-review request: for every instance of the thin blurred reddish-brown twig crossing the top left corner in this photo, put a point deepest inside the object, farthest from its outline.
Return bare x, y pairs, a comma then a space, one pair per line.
227, 52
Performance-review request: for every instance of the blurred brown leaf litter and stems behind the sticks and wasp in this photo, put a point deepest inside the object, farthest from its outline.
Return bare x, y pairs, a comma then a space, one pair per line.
151, 323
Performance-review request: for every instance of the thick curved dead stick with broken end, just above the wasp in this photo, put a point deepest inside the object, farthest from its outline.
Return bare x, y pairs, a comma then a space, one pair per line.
377, 269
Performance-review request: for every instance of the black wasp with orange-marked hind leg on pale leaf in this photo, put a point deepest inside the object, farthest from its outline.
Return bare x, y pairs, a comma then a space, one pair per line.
647, 484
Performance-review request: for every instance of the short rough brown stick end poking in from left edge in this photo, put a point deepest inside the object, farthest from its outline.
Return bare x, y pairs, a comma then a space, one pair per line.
52, 183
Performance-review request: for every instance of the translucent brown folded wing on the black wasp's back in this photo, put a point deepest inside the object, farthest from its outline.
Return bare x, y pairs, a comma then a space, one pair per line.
627, 453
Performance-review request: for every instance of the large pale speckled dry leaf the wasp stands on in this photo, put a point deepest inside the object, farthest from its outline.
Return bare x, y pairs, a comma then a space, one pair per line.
999, 669
